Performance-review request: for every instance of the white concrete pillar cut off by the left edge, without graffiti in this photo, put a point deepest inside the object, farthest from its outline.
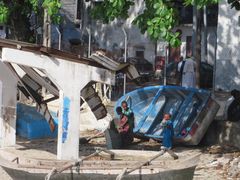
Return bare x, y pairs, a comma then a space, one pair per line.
8, 98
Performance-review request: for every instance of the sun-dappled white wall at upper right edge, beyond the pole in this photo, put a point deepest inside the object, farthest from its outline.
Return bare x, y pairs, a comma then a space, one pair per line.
228, 54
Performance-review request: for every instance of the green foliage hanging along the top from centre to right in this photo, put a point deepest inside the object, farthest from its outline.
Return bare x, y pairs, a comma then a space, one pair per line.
158, 17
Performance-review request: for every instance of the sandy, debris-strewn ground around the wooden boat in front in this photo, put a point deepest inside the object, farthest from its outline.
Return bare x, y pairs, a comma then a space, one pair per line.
214, 161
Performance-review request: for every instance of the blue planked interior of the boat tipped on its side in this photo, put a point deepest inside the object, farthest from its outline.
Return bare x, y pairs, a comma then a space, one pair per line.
150, 103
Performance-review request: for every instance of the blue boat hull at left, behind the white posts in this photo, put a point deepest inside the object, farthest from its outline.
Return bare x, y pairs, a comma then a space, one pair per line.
32, 125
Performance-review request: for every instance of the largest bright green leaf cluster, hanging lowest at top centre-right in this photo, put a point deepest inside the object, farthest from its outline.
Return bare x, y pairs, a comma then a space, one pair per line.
157, 20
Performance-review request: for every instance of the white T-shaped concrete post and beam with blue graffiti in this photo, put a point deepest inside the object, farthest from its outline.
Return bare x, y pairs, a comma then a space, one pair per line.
70, 77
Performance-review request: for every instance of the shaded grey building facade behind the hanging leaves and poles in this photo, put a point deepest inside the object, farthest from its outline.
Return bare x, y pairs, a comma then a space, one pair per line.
80, 28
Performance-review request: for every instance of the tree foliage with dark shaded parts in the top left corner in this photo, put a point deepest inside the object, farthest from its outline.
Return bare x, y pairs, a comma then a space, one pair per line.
15, 14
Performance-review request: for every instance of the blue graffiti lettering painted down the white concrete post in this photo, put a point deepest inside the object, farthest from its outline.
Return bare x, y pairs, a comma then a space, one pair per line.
66, 107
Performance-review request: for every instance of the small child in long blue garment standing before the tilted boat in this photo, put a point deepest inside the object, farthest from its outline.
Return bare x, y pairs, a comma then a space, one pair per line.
167, 132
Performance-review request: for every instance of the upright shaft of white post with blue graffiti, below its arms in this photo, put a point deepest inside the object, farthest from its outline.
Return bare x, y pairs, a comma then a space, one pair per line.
68, 125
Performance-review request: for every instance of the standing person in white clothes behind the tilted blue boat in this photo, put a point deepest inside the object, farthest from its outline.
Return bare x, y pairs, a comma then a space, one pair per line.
188, 73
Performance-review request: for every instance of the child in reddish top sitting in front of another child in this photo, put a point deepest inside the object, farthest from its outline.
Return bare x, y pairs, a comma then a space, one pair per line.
124, 127
